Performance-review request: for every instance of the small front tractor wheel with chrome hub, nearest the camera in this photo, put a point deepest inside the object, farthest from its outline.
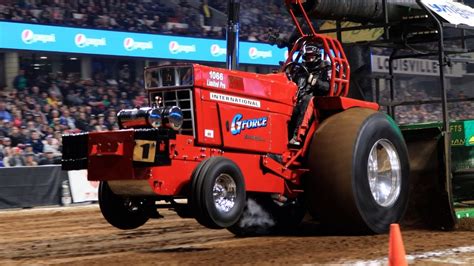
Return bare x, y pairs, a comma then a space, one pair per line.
218, 193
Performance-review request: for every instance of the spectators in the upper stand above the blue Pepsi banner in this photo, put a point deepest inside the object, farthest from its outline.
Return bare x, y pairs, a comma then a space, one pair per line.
193, 18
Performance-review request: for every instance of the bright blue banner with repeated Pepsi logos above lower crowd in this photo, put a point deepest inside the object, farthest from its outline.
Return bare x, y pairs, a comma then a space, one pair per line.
35, 37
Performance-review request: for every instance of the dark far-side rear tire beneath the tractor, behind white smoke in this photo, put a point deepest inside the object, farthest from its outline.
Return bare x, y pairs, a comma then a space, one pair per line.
264, 216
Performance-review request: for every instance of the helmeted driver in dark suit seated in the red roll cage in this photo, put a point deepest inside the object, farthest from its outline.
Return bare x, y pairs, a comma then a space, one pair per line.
315, 82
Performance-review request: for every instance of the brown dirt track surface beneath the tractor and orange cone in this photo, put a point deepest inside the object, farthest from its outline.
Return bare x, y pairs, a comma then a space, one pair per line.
79, 235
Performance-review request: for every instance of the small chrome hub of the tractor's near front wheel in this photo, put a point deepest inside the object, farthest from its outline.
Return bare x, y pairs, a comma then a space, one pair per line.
224, 193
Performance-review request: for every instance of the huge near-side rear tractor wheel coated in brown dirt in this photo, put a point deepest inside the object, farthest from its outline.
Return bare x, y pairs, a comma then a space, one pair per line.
359, 172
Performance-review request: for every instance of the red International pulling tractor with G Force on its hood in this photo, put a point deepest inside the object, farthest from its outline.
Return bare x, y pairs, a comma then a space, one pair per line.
220, 139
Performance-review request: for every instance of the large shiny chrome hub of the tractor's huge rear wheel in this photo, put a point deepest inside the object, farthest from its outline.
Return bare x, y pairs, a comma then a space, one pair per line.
384, 173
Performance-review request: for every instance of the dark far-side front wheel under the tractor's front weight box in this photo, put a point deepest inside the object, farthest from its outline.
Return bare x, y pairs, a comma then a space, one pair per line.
121, 212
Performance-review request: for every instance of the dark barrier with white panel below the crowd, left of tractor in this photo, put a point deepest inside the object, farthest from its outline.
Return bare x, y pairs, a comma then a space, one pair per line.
28, 187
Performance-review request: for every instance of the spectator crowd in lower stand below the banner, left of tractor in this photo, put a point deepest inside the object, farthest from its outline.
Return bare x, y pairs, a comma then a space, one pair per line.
35, 114
